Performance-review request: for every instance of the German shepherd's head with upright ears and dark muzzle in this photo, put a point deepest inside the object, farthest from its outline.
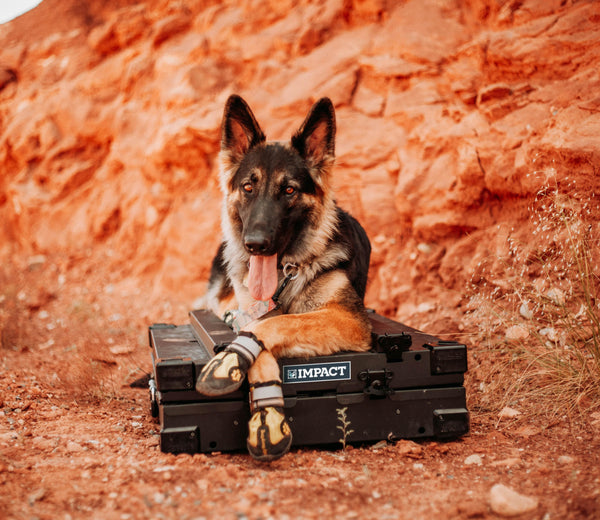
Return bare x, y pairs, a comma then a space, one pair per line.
275, 192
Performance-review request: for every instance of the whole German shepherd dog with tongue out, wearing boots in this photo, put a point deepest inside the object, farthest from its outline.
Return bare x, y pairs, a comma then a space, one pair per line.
289, 250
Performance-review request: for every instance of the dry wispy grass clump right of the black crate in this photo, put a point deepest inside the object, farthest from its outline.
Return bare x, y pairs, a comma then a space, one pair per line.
540, 301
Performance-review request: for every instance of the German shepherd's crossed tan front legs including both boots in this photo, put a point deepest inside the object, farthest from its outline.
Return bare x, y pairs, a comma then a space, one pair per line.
330, 329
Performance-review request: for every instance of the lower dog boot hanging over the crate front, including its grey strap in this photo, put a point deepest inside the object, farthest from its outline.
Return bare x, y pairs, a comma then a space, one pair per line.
269, 434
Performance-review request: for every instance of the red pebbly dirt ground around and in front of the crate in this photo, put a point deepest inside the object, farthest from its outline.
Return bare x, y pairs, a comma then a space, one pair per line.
77, 441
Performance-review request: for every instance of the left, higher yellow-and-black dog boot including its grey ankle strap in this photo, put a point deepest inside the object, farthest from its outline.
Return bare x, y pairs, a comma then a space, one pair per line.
225, 372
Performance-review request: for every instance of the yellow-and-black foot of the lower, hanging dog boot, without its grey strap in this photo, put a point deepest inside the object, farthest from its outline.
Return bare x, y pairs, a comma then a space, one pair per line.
269, 434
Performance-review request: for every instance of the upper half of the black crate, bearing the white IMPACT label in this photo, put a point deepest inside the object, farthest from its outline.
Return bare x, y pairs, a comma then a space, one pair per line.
427, 361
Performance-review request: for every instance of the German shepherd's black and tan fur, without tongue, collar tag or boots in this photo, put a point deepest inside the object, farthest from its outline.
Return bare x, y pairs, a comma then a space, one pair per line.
278, 200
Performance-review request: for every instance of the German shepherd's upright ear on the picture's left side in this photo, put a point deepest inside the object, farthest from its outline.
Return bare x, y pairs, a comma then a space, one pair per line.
239, 130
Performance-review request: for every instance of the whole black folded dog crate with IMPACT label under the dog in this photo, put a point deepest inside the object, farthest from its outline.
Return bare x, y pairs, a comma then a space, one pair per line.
409, 385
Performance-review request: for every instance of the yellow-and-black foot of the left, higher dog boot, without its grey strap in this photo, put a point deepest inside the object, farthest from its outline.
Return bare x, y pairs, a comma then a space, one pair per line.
223, 374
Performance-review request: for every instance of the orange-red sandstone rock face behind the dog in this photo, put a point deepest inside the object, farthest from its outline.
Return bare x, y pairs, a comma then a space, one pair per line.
452, 115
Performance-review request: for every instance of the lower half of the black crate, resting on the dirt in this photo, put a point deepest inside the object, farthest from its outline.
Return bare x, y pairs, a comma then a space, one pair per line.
320, 420
